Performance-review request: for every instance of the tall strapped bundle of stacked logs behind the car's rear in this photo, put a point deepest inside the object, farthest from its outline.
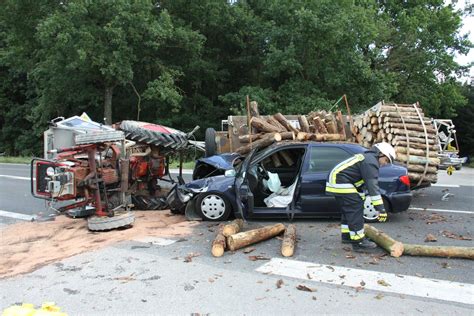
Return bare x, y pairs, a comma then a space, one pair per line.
410, 132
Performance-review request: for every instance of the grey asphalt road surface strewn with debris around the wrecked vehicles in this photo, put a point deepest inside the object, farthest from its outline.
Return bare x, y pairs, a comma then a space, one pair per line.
163, 283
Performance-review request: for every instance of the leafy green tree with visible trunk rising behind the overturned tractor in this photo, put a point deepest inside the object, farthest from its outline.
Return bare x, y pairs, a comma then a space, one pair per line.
93, 46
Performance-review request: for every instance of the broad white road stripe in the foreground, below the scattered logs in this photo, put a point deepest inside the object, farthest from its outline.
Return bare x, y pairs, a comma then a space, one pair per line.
371, 280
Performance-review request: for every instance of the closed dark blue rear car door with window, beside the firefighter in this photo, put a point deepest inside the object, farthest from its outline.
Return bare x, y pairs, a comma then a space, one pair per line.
319, 162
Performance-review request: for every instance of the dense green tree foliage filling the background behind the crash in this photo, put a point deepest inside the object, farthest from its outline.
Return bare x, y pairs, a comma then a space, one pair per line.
188, 63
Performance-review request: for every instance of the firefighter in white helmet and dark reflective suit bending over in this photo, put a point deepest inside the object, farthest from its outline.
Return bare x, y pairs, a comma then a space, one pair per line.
346, 182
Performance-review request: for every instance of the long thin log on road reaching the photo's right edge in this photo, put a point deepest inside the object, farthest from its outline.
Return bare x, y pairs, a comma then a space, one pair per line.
439, 251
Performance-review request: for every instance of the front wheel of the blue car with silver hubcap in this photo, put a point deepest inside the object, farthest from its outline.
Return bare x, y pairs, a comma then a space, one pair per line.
212, 206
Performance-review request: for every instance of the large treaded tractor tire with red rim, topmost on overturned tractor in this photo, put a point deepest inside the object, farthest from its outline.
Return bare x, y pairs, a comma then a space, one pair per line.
153, 134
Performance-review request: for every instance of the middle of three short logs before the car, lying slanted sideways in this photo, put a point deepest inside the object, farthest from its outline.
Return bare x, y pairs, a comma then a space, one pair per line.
244, 239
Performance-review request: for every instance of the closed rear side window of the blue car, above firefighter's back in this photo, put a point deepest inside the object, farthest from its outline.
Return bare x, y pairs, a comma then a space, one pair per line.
323, 159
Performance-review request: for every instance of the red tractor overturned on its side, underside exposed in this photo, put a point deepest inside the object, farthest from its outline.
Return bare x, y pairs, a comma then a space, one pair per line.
102, 172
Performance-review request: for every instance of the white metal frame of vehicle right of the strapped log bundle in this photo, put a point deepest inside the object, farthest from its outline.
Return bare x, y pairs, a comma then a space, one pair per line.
448, 153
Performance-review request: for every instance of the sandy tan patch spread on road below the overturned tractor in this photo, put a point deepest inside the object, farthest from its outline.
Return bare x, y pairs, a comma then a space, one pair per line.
25, 247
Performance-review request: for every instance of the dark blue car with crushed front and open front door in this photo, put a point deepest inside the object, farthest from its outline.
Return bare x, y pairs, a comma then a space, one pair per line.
284, 180
